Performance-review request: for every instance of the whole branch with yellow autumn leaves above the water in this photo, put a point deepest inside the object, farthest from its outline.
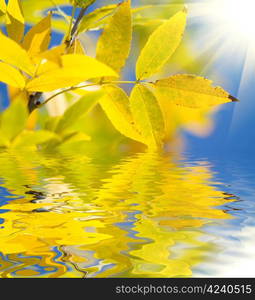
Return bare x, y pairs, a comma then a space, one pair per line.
31, 68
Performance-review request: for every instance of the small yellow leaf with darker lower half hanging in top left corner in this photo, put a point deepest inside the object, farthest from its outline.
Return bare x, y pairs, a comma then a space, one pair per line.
15, 20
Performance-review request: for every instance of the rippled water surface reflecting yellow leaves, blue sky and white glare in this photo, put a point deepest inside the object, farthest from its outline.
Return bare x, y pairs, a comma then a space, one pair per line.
146, 215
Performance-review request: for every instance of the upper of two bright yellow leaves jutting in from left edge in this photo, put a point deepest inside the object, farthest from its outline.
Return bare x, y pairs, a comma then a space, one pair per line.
14, 54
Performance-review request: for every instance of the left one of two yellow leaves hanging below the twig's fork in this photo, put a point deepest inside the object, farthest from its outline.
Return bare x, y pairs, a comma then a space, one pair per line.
115, 103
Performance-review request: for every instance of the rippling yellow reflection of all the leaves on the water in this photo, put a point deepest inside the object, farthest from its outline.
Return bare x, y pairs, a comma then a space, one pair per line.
147, 203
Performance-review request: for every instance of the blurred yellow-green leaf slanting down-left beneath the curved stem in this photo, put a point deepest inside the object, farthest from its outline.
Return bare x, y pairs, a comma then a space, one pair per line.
77, 110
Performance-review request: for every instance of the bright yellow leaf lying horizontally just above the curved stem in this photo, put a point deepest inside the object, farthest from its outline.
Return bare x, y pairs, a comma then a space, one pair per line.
75, 69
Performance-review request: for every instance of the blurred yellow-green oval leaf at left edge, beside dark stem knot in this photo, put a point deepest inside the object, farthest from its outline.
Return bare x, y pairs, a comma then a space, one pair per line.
13, 120
